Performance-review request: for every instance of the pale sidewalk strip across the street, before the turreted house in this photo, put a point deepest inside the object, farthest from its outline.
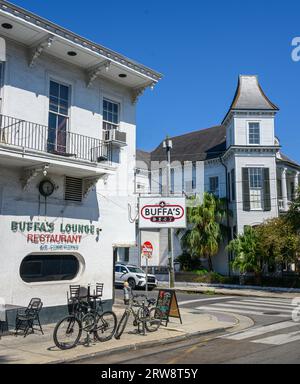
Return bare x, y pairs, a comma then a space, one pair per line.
234, 290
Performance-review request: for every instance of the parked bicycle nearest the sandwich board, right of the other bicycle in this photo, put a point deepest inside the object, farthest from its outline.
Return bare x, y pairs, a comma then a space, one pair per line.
148, 316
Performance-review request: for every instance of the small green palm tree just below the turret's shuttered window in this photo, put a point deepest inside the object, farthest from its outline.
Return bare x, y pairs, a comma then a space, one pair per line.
246, 253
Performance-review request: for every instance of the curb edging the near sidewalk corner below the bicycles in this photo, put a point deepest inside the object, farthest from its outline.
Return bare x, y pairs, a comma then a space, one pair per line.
137, 346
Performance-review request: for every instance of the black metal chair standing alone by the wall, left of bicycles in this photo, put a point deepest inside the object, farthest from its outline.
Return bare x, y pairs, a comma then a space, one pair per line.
25, 320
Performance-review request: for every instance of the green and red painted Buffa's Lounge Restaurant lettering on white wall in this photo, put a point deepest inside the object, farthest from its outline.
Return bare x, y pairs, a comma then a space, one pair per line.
53, 236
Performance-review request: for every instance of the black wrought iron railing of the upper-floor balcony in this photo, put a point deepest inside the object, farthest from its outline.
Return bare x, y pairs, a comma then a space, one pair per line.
58, 141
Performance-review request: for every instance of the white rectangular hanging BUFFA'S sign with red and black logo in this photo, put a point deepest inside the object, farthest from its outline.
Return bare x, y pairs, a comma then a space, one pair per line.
162, 213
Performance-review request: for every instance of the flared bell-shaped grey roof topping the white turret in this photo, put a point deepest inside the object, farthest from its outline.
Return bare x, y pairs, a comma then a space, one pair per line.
250, 96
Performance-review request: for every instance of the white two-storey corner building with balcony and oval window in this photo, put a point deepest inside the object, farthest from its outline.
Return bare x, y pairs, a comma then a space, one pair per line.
67, 159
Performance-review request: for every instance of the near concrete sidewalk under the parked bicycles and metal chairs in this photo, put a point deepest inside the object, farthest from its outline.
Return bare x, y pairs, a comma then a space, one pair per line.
38, 349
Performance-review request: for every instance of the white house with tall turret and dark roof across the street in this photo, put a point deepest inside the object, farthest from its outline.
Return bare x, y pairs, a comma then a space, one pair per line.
240, 159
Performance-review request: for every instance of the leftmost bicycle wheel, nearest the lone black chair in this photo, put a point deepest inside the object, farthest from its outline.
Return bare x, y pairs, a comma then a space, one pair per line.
67, 333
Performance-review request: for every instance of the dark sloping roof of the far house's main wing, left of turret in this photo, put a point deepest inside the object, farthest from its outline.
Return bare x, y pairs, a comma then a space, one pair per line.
195, 146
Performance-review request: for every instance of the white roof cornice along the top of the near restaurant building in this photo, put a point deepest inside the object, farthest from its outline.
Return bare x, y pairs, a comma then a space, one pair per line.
48, 26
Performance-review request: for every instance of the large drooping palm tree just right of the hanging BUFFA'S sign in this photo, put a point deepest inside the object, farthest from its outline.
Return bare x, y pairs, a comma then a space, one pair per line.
205, 227
